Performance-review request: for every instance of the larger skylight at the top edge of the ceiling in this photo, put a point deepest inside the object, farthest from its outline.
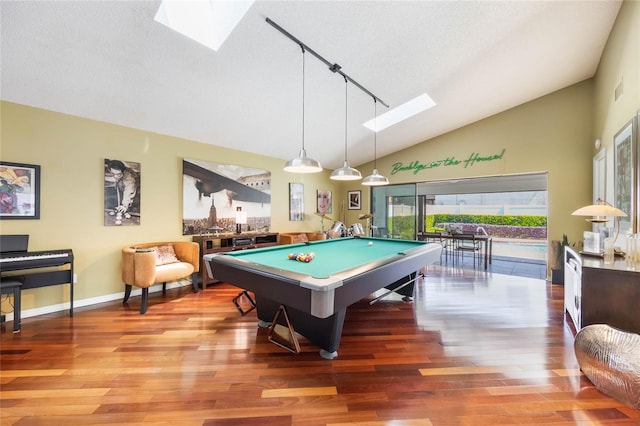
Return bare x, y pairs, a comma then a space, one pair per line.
209, 22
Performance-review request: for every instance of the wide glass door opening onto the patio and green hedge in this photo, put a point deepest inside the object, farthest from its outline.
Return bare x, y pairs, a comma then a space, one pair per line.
400, 211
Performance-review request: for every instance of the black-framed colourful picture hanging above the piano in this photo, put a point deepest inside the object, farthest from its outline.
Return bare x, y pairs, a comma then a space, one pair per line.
19, 191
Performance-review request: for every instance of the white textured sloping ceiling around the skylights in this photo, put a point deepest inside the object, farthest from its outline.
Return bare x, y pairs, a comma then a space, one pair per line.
110, 61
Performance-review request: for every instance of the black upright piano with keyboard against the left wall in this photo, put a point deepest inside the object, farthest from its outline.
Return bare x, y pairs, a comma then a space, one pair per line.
41, 268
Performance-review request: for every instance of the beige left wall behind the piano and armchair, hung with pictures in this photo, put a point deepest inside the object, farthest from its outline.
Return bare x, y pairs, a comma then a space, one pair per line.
71, 153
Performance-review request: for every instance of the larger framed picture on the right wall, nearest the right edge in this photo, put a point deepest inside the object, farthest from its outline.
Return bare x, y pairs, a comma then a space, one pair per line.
625, 175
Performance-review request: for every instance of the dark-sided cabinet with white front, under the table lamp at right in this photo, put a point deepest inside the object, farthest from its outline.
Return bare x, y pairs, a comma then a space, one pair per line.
596, 292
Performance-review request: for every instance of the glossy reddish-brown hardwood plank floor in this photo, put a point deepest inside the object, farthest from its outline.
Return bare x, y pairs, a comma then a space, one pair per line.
474, 348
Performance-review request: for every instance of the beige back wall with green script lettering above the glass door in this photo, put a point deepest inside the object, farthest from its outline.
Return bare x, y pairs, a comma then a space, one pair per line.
548, 134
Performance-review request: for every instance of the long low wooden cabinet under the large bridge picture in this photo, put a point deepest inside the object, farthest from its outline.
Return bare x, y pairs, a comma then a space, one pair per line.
229, 242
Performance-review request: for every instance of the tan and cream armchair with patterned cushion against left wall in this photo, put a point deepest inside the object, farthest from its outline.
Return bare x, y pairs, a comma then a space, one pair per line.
144, 265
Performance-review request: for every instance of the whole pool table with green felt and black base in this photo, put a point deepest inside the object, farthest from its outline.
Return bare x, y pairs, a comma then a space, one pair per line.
316, 294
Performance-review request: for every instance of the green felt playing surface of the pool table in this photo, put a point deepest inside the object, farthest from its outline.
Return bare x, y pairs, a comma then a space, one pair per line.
331, 256
